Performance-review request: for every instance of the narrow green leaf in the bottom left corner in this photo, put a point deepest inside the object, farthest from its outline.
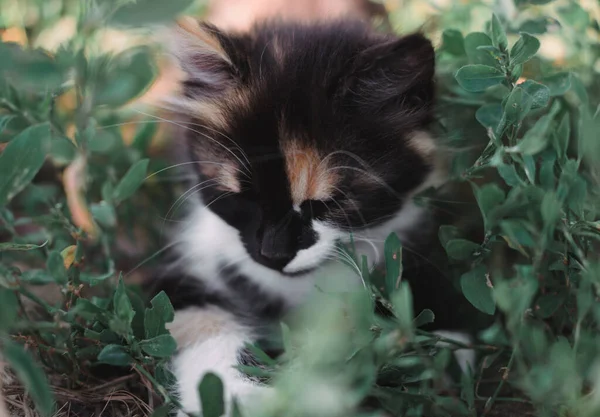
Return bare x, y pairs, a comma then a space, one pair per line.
31, 375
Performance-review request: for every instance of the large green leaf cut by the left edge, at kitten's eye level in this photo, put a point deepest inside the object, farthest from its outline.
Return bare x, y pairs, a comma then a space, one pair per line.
22, 159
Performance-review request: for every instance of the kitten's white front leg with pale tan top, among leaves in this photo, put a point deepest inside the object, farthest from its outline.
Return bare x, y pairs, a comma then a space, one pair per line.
210, 340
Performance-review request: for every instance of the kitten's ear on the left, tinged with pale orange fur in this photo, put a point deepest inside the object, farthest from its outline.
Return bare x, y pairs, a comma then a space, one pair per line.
200, 52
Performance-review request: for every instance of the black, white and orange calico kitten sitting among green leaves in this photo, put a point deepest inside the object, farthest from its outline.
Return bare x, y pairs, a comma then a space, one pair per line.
299, 135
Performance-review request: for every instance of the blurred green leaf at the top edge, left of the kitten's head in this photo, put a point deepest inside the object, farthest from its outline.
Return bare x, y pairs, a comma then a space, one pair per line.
146, 12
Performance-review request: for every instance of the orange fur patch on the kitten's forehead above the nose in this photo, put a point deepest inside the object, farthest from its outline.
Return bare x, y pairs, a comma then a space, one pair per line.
309, 174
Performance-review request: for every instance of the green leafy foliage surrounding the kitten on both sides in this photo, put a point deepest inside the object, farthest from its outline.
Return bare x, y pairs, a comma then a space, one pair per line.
76, 186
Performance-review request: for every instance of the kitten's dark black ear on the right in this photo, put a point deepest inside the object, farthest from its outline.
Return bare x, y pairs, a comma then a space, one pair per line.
399, 70
